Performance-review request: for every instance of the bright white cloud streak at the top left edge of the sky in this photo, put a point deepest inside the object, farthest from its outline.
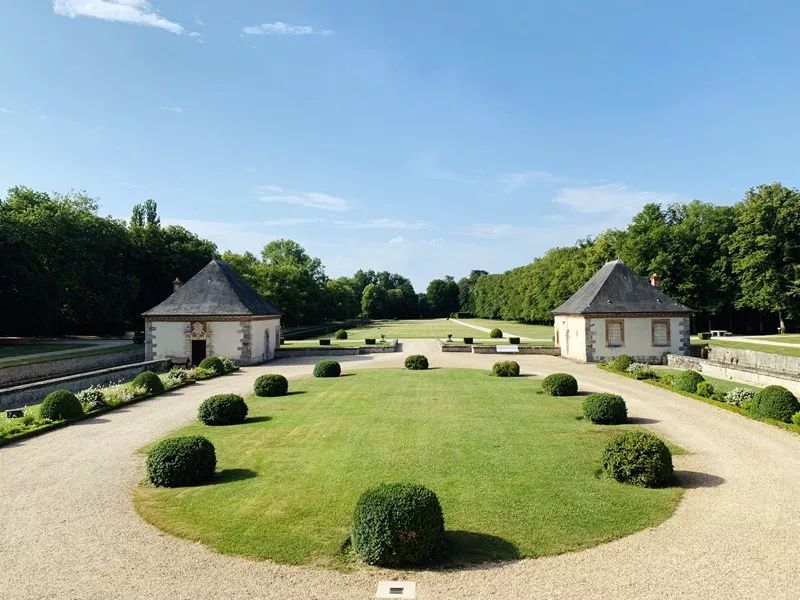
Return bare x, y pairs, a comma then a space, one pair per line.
136, 12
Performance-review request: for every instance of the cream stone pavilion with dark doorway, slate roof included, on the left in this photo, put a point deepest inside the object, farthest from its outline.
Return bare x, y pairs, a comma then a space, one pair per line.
215, 313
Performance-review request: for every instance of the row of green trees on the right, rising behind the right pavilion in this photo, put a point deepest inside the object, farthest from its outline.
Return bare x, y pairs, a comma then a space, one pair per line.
737, 266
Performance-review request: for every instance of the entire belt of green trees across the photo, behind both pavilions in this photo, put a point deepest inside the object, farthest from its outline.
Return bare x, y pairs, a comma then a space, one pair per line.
67, 269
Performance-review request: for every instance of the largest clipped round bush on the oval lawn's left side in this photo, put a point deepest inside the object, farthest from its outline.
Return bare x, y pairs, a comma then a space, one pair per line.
179, 461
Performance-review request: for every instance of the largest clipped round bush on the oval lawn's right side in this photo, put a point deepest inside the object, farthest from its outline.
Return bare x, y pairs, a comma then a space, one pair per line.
639, 458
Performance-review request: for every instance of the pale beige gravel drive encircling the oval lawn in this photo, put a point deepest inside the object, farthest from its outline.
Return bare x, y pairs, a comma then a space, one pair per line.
68, 528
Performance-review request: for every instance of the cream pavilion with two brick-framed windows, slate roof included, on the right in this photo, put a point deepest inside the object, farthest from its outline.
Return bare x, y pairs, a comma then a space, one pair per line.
618, 312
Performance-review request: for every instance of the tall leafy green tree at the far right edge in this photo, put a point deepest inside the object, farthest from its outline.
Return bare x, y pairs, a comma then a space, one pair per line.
765, 250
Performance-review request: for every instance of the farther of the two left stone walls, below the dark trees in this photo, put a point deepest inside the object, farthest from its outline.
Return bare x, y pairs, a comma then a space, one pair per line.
67, 366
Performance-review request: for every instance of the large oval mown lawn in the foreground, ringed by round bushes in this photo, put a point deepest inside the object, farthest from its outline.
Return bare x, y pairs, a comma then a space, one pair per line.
516, 471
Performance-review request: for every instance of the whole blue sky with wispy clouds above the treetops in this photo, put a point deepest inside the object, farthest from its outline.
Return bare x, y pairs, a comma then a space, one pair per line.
427, 138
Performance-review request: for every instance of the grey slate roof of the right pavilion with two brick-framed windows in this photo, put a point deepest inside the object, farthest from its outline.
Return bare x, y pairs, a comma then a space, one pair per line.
615, 288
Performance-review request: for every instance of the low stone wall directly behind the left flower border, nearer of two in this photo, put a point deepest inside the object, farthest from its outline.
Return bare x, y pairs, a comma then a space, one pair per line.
33, 393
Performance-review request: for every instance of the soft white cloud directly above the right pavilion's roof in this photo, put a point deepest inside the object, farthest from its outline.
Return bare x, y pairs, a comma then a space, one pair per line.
610, 197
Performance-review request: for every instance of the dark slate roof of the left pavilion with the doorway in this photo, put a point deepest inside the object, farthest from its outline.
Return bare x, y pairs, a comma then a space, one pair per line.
216, 290
